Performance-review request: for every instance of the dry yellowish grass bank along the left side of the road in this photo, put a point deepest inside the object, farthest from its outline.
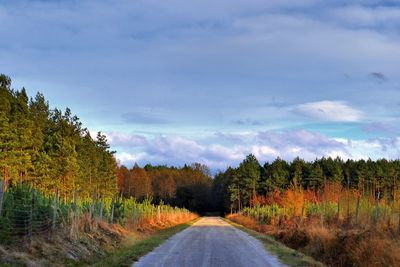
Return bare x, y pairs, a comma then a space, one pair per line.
93, 239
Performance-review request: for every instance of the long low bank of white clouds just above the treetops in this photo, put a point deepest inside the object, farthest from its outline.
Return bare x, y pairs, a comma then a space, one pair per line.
266, 146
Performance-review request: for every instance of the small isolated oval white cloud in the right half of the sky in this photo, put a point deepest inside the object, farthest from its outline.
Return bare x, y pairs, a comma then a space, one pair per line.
334, 111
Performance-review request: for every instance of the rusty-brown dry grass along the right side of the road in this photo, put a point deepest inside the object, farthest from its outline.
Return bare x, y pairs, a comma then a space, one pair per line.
335, 246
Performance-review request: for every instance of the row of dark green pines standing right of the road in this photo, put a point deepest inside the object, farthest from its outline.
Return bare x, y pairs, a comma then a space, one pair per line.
236, 188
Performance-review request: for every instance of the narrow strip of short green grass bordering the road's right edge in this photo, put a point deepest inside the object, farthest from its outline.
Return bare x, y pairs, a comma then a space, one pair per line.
286, 255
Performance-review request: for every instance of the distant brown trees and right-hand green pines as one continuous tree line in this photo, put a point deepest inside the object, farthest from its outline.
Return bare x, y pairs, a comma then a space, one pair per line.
236, 188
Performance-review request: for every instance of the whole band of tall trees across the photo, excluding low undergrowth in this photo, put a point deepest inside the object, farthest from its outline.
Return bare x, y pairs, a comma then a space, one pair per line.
50, 149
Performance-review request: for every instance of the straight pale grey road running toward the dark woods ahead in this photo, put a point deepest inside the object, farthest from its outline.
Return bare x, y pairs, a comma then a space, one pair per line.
210, 242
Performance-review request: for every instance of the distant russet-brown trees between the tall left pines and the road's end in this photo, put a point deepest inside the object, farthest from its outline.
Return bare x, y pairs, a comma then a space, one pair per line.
188, 186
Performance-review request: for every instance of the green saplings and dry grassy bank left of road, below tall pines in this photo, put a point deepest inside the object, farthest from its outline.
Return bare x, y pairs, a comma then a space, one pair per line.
78, 234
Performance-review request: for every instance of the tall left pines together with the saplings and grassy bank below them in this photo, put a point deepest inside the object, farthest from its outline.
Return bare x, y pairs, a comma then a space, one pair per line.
59, 197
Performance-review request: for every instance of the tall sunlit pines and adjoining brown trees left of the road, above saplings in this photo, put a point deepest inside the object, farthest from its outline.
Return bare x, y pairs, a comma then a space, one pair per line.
51, 150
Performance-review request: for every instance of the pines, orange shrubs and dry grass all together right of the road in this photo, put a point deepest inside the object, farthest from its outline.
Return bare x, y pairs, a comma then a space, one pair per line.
341, 213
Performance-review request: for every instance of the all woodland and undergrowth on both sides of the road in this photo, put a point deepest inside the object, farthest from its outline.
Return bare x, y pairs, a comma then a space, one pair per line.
56, 177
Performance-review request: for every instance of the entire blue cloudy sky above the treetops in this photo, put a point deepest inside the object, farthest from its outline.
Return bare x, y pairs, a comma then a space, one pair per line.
210, 81
